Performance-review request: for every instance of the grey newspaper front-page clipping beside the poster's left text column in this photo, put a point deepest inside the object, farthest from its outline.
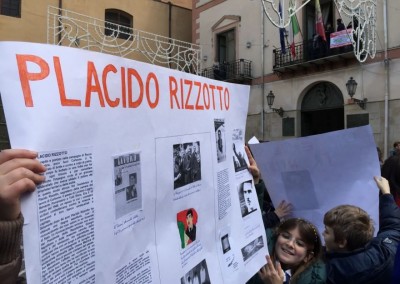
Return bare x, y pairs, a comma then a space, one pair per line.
127, 181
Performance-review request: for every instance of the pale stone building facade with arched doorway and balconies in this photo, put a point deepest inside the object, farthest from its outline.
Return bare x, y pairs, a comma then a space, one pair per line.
310, 89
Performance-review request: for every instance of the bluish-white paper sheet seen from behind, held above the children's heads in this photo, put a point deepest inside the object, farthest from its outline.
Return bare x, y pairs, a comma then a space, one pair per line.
317, 173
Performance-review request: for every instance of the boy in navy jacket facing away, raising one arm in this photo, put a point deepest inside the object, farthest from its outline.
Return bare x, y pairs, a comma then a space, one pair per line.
353, 254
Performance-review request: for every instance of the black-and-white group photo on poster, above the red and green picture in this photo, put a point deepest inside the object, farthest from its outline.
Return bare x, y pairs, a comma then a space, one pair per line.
187, 163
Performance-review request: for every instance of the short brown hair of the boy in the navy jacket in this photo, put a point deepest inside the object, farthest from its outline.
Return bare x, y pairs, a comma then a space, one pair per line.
350, 223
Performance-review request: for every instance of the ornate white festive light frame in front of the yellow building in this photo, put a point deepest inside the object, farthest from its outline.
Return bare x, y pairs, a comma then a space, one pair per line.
68, 28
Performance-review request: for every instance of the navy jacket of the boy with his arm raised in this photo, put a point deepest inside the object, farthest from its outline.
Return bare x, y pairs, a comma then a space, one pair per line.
374, 262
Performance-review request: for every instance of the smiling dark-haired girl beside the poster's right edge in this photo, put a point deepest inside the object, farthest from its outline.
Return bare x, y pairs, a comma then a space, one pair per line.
295, 249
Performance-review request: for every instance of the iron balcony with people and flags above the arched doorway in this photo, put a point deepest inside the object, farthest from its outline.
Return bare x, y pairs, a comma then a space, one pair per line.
310, 57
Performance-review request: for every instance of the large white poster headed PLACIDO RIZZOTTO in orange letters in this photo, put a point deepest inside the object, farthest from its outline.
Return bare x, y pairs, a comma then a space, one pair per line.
146, 178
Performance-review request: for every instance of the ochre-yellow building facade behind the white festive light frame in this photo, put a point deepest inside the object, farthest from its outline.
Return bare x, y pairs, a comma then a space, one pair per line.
86, 23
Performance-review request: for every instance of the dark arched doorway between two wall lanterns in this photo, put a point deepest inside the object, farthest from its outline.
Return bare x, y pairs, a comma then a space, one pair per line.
322, 109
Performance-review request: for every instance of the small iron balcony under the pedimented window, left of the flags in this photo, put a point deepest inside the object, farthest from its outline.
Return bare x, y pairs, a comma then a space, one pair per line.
238, 71
